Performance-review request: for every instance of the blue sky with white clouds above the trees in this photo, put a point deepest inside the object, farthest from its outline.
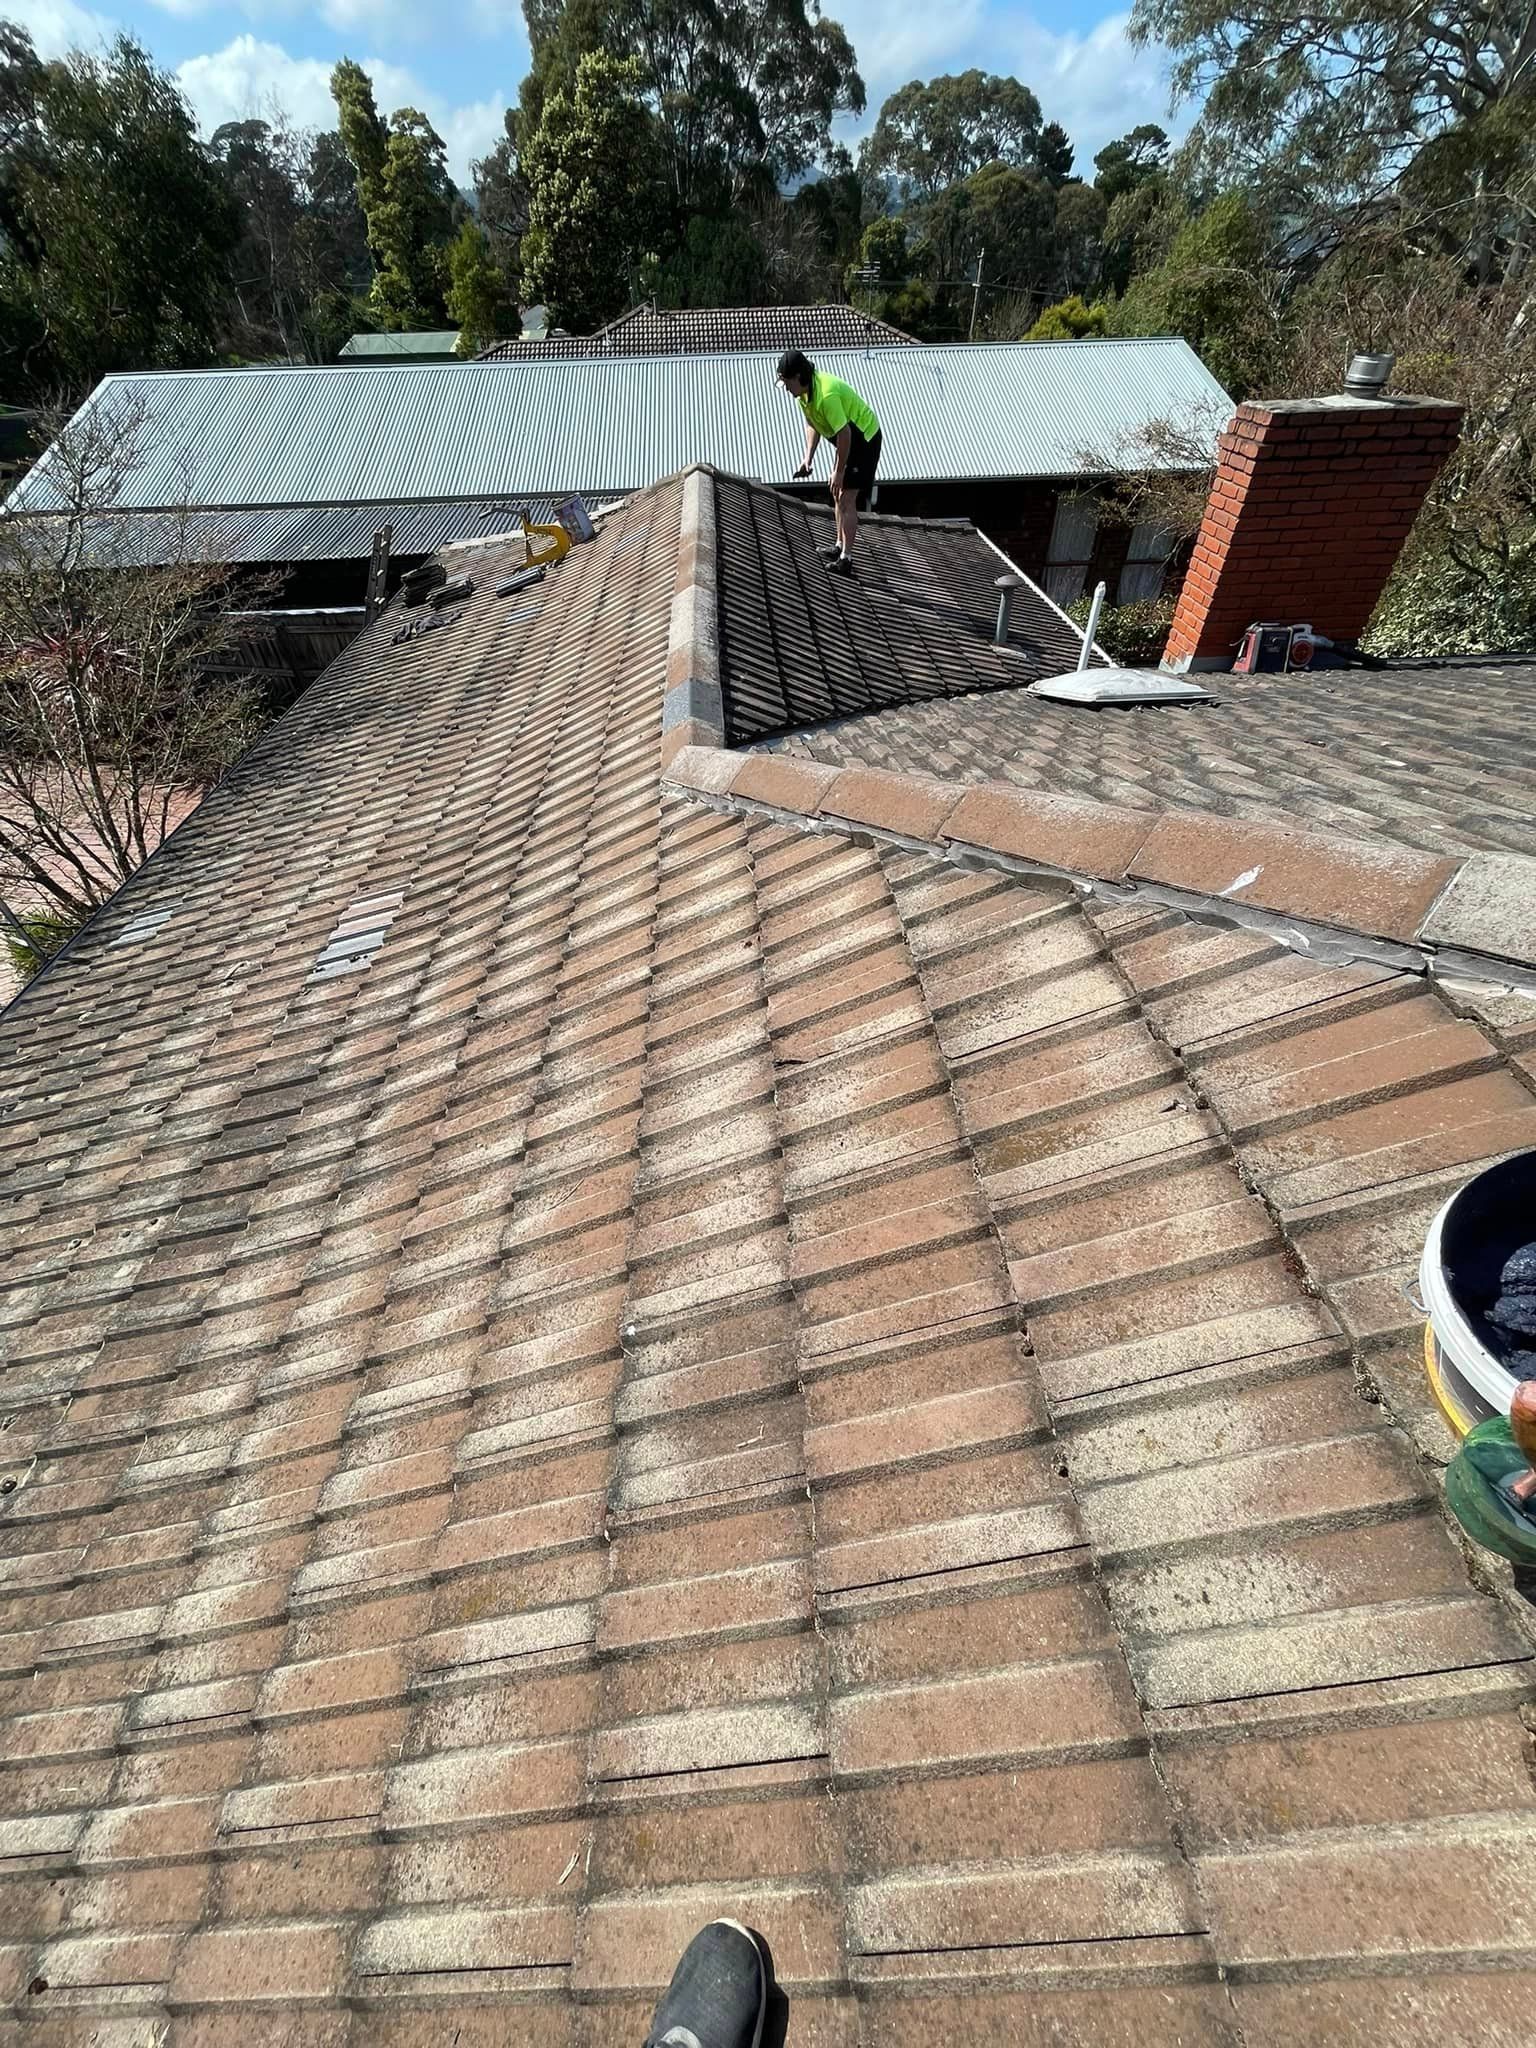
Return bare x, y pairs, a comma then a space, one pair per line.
464, 69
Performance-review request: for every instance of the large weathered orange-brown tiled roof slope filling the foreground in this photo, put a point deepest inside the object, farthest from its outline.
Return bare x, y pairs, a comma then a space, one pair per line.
736, 1367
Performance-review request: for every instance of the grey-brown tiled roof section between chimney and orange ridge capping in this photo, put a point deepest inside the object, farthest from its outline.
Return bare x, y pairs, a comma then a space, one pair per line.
1428, 757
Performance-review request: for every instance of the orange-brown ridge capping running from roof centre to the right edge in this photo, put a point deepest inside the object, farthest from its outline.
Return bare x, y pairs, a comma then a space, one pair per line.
1316, 892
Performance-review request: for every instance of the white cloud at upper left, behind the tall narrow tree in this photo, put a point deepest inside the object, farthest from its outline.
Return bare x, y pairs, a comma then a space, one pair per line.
247, 75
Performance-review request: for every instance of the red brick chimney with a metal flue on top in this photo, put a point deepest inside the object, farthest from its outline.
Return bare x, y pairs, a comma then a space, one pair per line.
1310, 511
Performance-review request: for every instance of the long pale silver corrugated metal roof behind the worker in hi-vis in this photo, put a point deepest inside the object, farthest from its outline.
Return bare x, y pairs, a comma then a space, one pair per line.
613, 425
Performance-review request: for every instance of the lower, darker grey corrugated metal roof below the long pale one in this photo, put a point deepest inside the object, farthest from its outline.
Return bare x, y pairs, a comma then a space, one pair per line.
304, 534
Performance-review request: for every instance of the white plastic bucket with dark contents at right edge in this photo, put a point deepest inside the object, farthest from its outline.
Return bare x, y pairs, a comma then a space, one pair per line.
1467, 1244
